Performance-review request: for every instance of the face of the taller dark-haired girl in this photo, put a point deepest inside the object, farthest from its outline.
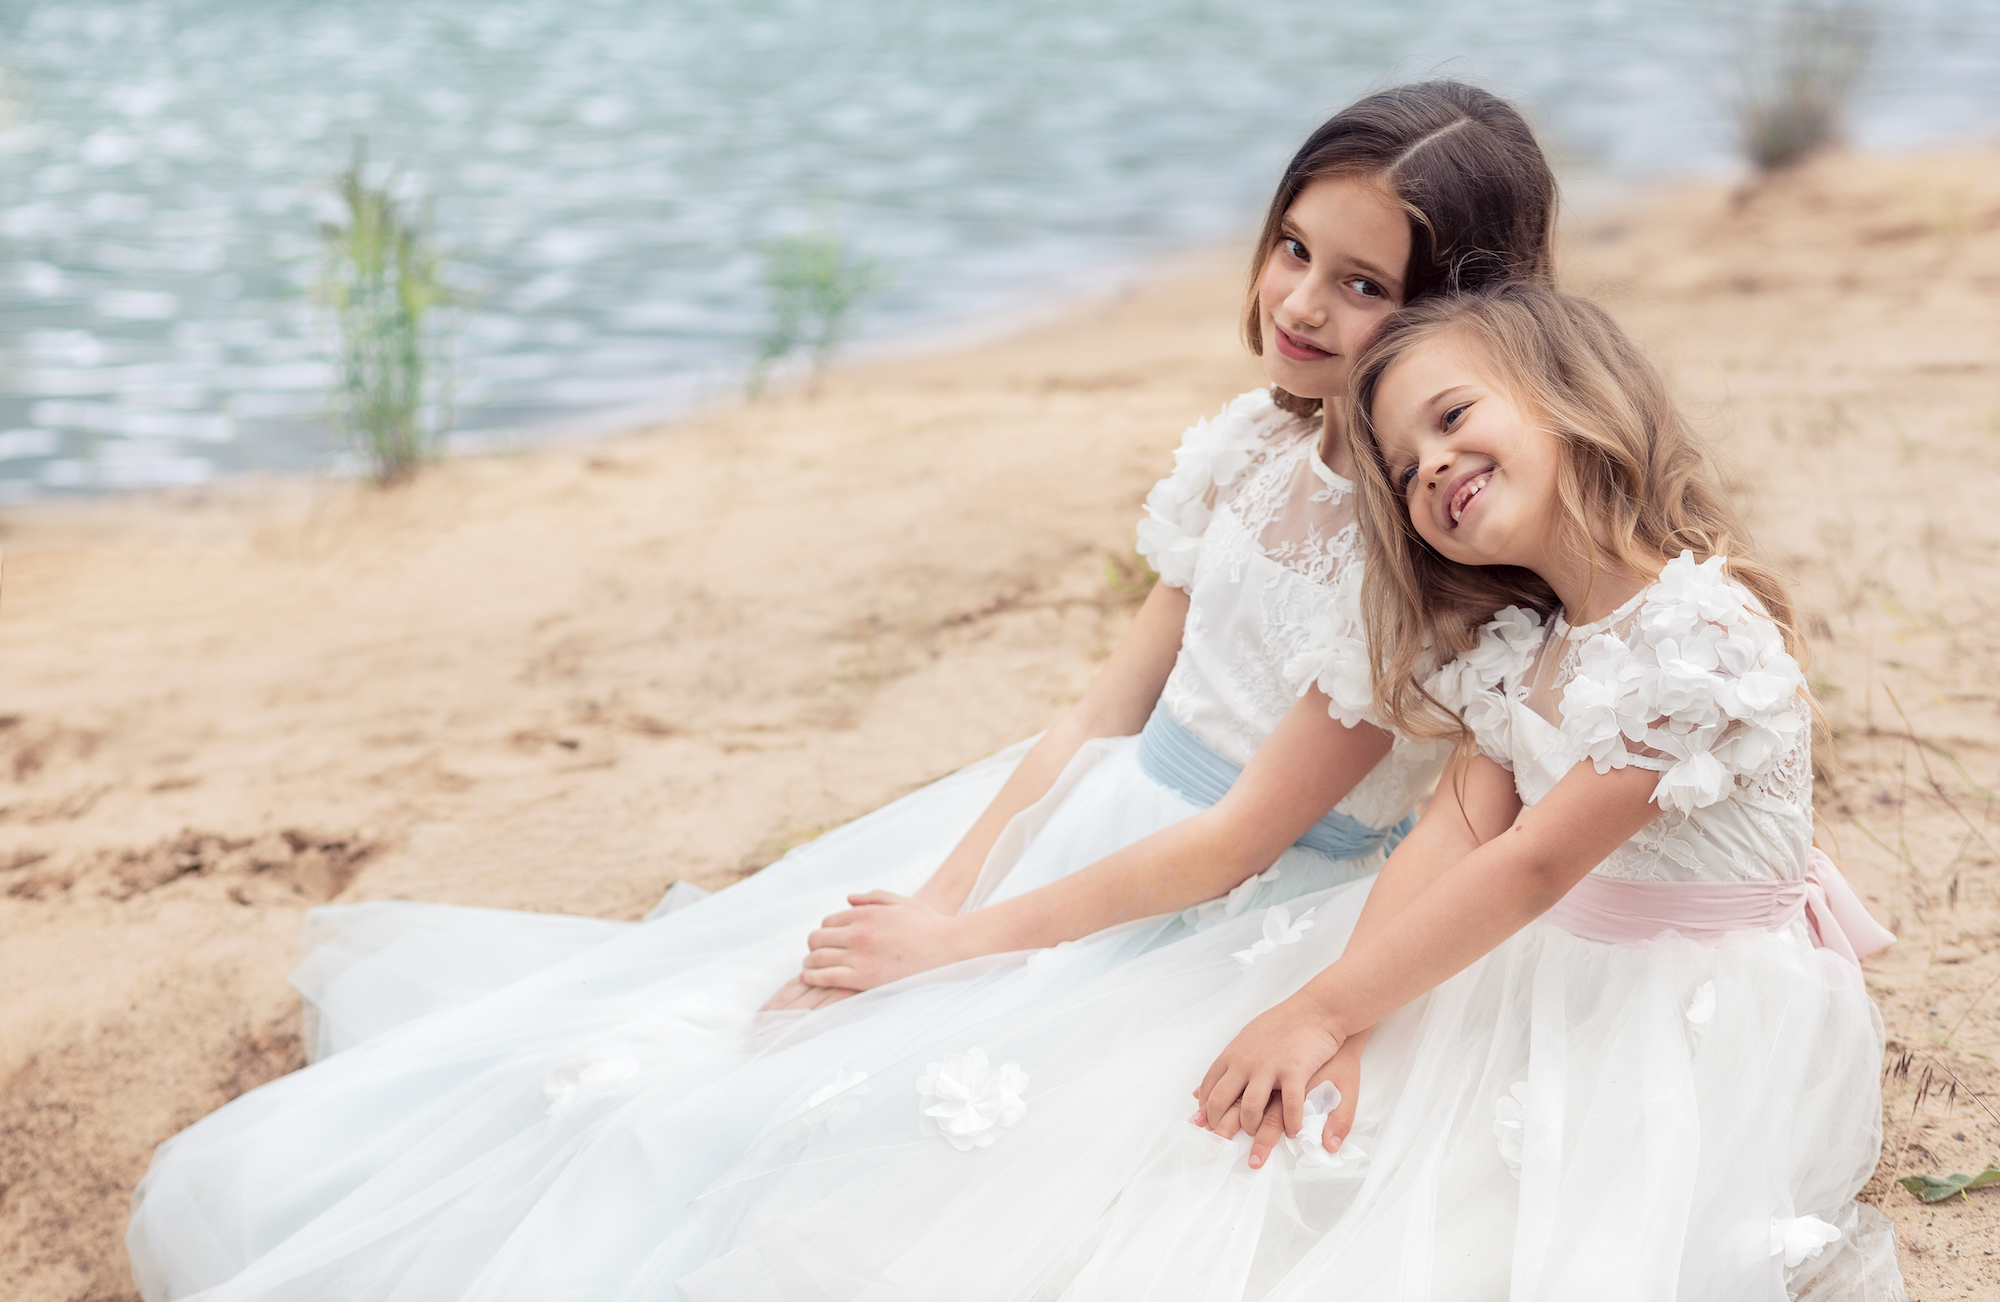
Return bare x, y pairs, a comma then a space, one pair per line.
1329, 283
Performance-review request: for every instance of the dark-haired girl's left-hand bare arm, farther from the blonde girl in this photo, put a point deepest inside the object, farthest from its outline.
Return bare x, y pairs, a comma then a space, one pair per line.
1117, 705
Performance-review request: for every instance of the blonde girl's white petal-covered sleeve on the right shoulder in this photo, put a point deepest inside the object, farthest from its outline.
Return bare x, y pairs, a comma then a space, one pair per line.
1699, 691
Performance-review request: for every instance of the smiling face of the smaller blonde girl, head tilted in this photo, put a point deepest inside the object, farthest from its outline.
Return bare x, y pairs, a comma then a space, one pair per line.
1477, 473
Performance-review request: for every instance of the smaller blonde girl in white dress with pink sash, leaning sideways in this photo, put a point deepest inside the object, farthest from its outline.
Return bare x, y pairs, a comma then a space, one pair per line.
1623, 1043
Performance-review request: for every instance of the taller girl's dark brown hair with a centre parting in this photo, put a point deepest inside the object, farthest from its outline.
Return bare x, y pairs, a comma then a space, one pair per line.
1461, 163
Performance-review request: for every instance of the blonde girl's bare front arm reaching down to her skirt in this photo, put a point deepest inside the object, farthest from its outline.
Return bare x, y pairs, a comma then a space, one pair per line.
1463, 913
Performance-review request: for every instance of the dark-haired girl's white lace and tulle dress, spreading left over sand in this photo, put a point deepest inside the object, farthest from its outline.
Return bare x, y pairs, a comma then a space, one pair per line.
541, 1107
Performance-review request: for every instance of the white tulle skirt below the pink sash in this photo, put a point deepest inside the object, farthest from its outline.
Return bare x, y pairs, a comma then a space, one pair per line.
1565, 1121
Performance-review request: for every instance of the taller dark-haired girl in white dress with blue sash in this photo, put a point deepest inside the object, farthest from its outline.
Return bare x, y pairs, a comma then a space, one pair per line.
519, 1107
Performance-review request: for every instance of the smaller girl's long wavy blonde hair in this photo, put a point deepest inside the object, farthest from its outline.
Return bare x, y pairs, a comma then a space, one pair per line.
1635, 485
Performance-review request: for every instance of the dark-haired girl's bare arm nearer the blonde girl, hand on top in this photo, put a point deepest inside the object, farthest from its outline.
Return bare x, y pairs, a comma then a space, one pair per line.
1307, 765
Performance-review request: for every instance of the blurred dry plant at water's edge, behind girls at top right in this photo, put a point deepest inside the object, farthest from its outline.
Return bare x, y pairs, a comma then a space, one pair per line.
1795, 75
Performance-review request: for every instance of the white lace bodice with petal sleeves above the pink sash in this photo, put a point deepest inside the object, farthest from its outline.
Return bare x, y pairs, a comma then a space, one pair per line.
1689, 679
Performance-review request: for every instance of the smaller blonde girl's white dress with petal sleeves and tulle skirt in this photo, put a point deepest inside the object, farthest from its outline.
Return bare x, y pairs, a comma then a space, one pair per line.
1683, 1117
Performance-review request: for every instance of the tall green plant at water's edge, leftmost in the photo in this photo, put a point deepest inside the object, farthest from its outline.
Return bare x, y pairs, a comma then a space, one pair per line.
381, 281
